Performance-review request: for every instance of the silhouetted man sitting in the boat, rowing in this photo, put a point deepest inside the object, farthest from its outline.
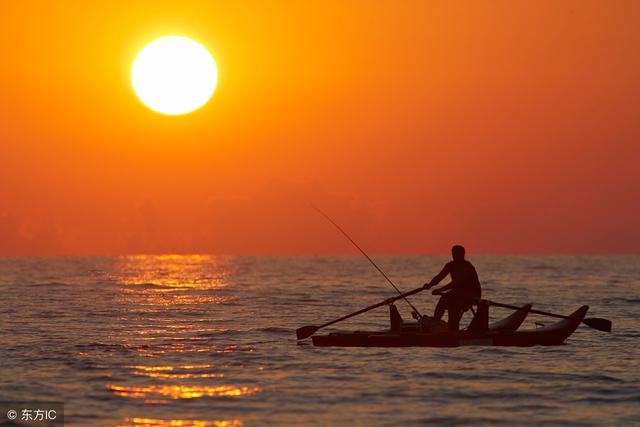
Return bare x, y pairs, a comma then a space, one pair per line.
459, 295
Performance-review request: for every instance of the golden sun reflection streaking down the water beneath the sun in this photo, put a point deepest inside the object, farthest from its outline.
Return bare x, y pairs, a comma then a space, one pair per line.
167, 307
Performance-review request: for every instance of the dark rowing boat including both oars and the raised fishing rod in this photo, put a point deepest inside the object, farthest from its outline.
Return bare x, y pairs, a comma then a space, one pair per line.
428, 332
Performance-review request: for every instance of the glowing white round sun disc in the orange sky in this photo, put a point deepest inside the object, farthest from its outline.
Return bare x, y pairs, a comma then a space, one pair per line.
174, 75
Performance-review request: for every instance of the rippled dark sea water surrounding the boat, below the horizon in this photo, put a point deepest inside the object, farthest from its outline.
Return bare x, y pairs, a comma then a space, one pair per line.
209, 341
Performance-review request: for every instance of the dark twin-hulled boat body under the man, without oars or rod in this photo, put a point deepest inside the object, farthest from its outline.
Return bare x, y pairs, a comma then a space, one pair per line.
501, 333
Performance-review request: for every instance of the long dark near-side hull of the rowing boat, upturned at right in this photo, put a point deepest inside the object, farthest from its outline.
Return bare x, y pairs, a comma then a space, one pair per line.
554, 334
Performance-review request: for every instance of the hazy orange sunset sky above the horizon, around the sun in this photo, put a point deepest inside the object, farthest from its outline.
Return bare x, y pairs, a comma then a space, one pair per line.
510, 127
